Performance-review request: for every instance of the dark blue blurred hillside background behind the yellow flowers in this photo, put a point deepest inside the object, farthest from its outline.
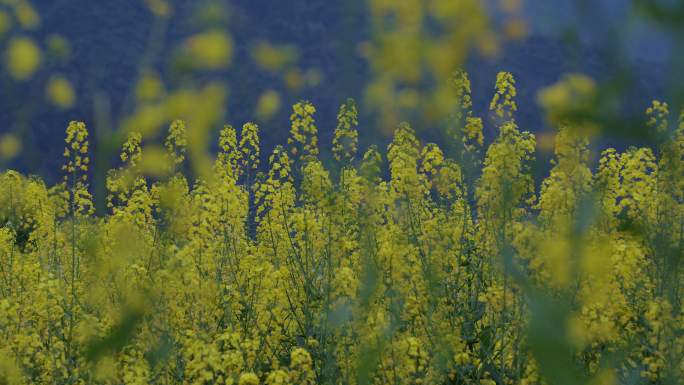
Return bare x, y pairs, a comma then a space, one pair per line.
108, 39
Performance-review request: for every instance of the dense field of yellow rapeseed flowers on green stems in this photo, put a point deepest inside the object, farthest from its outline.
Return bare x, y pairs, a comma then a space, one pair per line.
449, 268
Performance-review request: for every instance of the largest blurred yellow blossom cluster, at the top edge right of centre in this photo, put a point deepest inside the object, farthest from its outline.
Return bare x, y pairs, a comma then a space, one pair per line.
406, 52
